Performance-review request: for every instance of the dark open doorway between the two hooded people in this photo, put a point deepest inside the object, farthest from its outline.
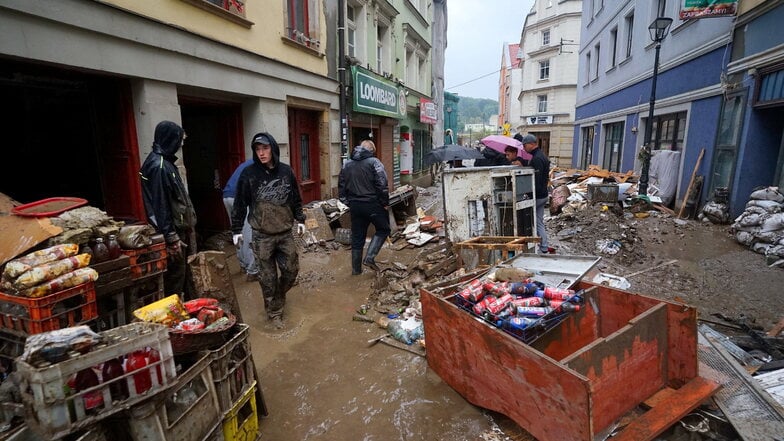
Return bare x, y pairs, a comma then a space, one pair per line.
212, 150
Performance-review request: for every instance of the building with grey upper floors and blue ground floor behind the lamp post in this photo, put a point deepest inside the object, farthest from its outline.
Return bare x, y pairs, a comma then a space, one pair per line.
614, 87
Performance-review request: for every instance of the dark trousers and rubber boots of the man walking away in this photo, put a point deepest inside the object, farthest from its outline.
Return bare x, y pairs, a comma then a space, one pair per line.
362, 215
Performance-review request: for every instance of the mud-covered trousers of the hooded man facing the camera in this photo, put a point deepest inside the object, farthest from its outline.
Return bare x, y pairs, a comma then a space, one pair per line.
278, 263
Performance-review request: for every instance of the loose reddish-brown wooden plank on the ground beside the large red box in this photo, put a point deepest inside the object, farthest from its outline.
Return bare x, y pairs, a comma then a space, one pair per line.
655, 421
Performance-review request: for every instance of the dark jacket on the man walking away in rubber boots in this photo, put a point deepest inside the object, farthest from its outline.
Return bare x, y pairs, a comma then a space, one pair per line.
363, 179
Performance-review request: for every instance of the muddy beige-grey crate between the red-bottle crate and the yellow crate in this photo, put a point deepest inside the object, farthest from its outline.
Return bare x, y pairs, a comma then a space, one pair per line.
187, 411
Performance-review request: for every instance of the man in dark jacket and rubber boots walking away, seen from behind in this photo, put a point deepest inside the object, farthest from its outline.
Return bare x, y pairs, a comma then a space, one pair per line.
362, 186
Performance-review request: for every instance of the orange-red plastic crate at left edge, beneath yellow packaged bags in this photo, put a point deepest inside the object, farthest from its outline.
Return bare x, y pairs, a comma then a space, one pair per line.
63, 309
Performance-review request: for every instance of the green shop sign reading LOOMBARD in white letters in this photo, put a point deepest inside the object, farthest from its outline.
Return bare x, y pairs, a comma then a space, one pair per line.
376, 95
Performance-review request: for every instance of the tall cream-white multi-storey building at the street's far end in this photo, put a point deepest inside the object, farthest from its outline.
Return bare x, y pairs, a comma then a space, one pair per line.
544, 106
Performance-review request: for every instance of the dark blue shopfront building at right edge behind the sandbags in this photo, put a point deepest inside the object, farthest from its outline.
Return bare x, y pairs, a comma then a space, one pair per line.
750, 138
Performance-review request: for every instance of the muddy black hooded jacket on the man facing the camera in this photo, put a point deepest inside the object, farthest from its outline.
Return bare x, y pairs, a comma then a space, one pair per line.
271, 194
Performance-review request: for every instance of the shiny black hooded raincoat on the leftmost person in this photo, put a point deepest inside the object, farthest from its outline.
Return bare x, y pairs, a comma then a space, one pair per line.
166, 201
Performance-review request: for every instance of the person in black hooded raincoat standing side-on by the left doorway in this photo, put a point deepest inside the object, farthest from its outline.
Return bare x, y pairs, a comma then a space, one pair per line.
168, 205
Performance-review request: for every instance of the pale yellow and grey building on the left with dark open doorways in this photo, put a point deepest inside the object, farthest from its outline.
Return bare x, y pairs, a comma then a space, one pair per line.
86, 82
